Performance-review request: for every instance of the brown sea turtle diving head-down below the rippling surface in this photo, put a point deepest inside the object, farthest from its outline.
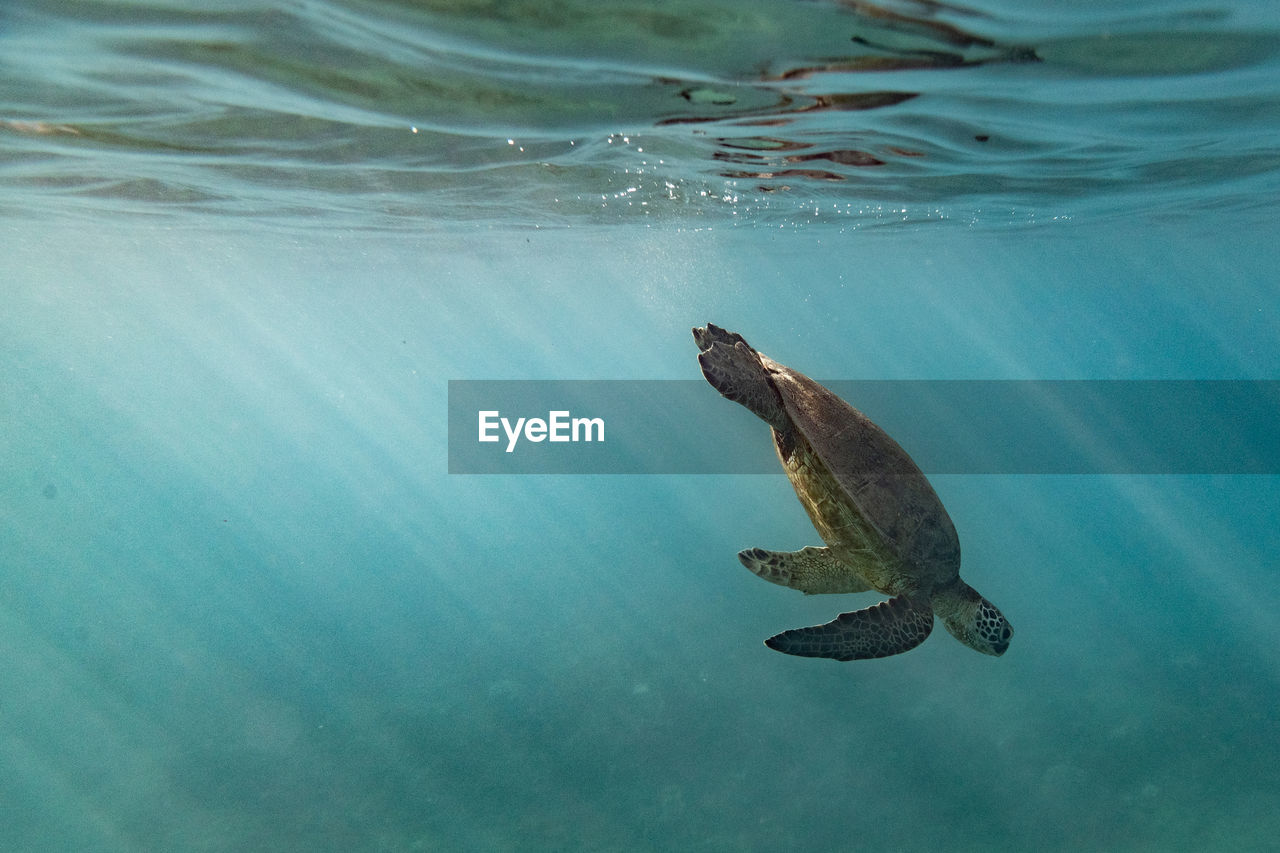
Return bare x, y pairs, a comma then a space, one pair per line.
884, 526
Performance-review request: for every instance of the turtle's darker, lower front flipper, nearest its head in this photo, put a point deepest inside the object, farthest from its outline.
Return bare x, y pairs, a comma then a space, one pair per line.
889, 628
